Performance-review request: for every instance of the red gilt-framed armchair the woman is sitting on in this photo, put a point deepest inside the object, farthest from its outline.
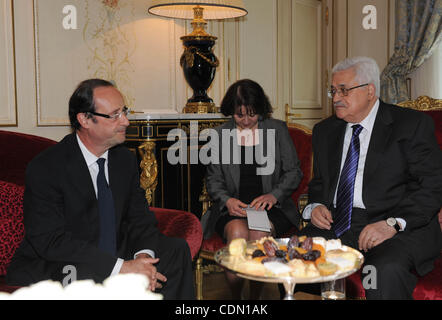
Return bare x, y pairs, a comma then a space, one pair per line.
302, 139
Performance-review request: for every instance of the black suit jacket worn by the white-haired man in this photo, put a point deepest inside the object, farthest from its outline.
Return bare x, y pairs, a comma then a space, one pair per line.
402, 174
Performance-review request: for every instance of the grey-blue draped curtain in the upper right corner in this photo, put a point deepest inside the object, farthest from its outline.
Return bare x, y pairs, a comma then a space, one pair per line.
418, 33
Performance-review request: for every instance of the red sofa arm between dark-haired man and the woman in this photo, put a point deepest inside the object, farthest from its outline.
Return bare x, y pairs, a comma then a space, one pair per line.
180, 224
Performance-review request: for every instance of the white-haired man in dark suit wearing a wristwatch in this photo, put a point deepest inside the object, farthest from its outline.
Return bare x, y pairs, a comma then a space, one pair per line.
377, 181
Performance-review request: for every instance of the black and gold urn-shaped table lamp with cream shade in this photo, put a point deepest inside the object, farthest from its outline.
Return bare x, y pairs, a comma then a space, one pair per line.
198, 61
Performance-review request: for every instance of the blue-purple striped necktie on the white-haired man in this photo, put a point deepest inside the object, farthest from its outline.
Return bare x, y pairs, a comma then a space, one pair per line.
344, 196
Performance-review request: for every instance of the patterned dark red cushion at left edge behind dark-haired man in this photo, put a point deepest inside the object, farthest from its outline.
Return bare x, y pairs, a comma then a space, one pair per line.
11, 222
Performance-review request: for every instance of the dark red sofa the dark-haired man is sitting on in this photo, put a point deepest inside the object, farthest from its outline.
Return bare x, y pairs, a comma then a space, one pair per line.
16, 150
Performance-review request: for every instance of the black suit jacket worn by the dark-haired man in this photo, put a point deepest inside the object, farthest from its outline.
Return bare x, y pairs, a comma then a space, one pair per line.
61, 216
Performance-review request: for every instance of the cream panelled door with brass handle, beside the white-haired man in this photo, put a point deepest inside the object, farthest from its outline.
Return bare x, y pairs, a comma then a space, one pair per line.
301, 64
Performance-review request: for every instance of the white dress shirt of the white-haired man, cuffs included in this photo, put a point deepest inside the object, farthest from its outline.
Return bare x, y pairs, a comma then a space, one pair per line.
364, 139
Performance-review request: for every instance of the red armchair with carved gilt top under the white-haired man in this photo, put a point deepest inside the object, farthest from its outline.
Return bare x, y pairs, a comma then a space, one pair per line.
428, 287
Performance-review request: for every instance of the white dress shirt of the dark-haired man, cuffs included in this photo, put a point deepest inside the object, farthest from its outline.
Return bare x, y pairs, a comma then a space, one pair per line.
91, 162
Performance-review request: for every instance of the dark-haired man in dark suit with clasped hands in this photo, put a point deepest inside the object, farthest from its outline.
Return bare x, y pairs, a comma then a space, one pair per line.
83, 206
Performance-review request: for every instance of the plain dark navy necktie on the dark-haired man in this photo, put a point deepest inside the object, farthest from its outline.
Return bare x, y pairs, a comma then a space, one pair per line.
107, 241
